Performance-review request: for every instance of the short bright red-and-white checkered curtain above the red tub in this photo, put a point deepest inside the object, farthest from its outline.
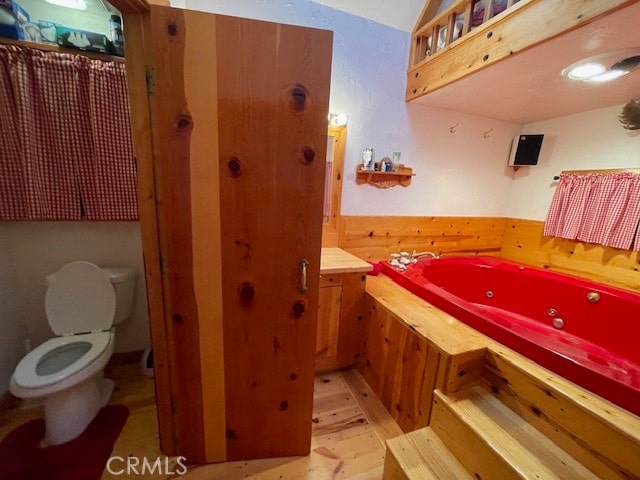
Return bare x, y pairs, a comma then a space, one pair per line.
597, 208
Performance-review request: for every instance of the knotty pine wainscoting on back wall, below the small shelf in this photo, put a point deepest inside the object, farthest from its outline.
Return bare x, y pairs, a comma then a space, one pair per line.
375, 238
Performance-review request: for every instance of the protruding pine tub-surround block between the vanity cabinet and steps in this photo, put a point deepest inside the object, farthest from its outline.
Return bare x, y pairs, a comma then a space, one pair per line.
410, 349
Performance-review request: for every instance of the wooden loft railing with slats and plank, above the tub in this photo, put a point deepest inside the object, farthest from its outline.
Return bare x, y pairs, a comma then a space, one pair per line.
522, 25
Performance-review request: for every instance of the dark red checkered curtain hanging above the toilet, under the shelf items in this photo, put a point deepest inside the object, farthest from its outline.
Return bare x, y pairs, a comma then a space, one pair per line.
66, 150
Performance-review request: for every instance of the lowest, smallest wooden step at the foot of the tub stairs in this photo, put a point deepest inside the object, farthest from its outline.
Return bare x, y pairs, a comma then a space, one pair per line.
421, 455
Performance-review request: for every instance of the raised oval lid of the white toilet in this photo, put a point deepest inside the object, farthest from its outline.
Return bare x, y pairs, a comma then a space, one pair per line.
80, 299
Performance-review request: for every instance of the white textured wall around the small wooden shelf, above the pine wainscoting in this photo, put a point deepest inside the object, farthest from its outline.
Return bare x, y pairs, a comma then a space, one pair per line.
456, 174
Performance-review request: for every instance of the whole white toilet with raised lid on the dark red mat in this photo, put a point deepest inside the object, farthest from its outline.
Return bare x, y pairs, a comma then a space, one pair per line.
82, 303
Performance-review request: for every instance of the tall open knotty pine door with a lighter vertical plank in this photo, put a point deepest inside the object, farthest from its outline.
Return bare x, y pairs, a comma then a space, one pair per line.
230, 143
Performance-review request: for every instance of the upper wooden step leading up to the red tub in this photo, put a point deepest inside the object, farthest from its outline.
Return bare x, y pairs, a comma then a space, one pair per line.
492, 441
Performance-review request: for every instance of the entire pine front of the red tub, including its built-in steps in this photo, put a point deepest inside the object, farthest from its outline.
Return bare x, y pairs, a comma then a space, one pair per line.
475, 409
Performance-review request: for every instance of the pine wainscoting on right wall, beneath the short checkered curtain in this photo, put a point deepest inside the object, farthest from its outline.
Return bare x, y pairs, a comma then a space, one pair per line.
524, 242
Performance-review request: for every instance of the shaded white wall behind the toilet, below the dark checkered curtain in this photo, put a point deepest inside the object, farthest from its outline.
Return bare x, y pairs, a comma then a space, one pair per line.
32, 250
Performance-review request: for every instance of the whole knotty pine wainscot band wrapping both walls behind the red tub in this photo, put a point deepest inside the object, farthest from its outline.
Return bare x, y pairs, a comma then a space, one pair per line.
375, 238
